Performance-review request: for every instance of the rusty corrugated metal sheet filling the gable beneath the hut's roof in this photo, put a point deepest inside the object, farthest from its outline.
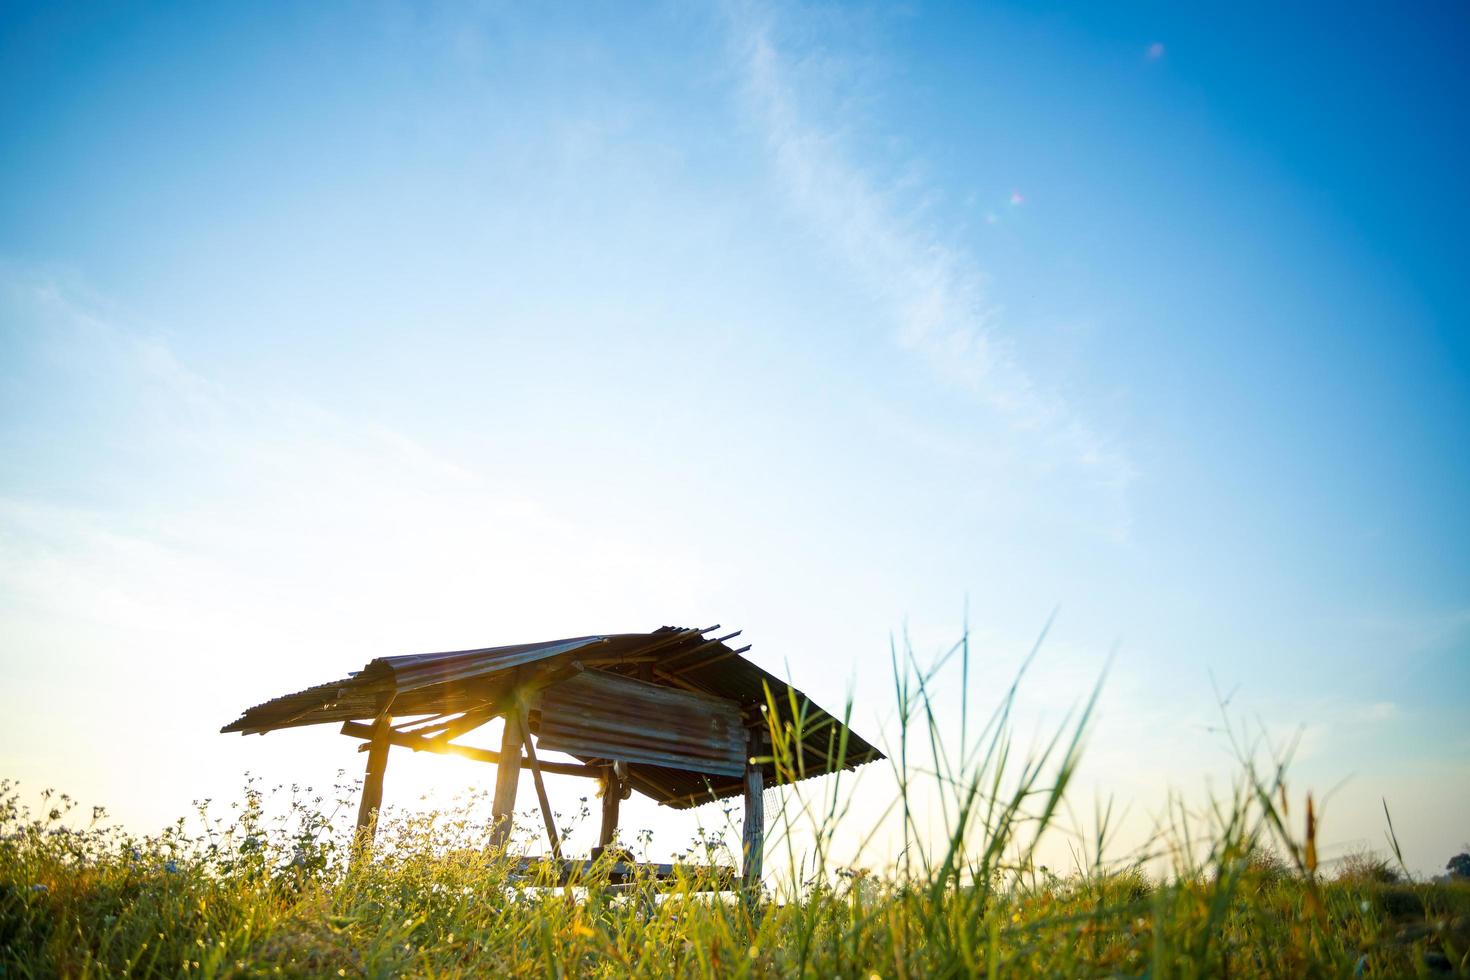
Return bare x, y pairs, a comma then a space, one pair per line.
600, 715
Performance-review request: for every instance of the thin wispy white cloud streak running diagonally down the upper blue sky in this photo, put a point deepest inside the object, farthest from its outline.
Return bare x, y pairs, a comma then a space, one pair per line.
931, 290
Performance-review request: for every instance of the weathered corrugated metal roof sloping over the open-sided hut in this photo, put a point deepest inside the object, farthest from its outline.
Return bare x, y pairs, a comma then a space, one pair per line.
481, 680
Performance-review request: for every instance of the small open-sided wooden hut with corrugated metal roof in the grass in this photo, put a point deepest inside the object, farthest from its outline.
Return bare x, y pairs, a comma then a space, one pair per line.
674, 715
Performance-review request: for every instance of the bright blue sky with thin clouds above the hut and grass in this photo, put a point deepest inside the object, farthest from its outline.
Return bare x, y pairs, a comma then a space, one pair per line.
342, 331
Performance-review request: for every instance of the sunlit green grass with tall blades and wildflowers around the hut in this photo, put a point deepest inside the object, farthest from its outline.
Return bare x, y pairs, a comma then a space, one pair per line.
1233, 891
